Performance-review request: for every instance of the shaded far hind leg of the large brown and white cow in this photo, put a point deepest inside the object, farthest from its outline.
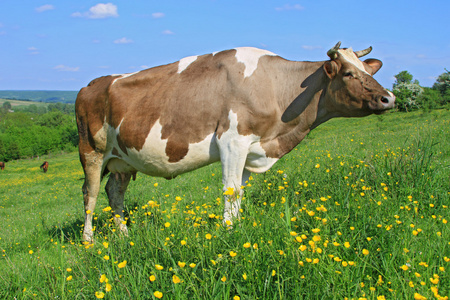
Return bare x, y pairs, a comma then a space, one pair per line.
115, 189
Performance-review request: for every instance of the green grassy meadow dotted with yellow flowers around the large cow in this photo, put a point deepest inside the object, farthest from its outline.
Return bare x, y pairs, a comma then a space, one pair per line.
359, 210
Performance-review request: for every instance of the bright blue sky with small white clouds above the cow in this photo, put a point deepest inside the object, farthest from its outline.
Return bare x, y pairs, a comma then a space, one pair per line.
63, 45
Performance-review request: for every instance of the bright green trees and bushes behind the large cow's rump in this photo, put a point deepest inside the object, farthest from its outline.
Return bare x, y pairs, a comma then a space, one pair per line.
35, 130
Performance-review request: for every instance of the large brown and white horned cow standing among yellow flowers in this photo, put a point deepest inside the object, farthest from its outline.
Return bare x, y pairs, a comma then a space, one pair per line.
244, 107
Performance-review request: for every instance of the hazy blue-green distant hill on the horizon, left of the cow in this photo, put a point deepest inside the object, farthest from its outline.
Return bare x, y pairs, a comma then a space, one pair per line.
41, 96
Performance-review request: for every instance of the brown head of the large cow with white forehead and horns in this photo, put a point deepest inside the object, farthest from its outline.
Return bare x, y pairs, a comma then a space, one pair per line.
352, 91
